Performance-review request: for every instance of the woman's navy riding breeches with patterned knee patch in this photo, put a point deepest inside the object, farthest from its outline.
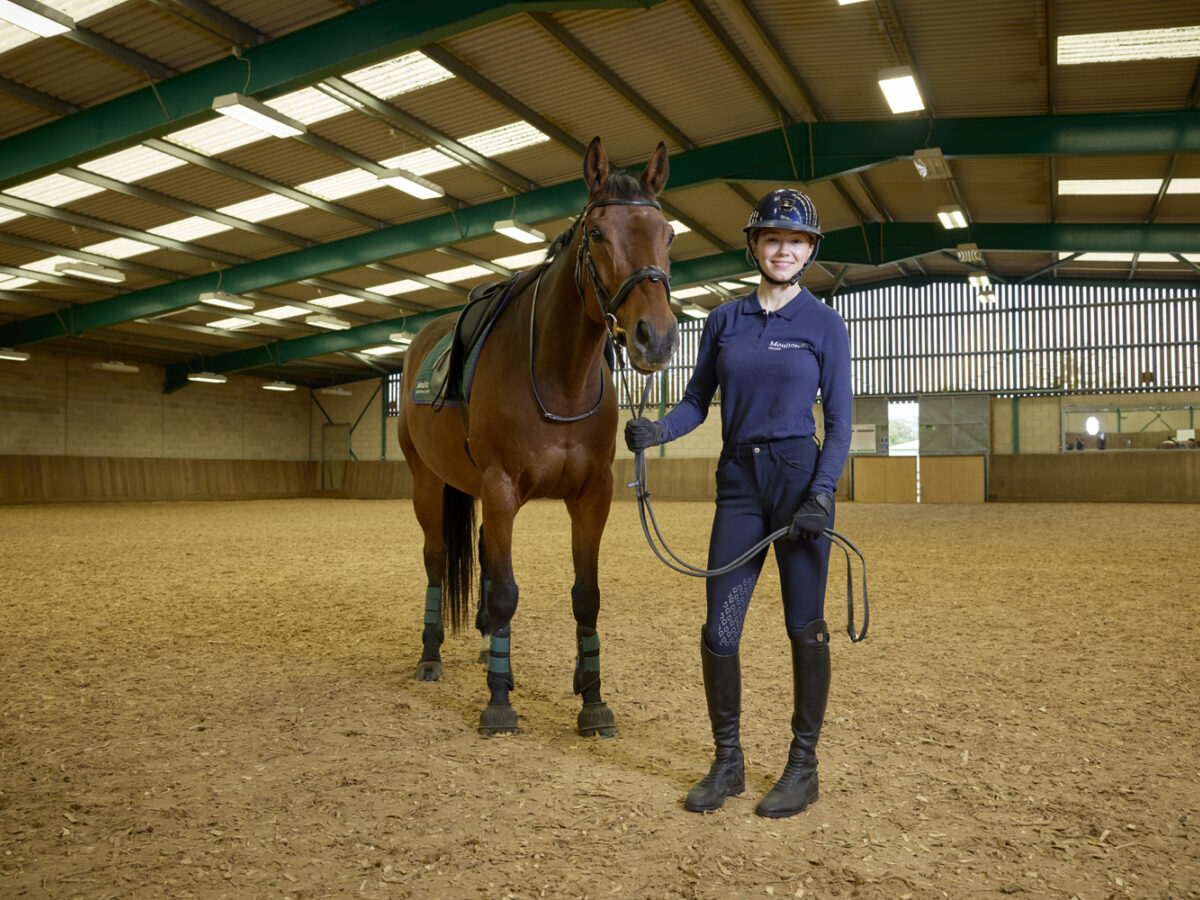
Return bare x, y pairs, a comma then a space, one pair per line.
759, 489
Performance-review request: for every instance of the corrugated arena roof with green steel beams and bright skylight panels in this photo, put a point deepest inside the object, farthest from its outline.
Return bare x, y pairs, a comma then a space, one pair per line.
112, 154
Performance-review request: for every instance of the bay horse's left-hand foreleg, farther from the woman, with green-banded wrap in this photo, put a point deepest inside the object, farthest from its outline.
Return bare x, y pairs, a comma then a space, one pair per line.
500, 718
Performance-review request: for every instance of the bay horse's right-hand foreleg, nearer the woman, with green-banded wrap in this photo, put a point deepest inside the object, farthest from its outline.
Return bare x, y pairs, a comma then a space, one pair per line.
589, 518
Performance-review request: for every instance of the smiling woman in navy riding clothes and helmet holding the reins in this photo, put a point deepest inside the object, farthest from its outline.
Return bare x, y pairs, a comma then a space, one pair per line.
769, 353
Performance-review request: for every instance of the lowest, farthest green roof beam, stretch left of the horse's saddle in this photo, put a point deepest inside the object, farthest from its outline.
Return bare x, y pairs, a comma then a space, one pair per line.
279, 353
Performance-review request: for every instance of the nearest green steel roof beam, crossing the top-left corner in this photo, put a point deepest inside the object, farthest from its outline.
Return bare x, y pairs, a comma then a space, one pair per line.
356, 39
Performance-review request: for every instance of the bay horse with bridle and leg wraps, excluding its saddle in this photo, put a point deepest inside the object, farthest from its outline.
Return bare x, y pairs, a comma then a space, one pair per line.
541, 422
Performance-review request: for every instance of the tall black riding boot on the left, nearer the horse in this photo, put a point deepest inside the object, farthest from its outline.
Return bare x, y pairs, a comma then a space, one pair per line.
723, 688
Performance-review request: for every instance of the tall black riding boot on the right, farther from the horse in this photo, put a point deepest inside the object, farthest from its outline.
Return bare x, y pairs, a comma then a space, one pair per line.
797, 788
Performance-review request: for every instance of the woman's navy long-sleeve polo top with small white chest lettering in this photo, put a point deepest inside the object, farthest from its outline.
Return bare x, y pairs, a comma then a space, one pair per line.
770, 368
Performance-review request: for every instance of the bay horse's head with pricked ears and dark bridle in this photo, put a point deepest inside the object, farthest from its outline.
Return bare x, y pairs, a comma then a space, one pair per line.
623, 265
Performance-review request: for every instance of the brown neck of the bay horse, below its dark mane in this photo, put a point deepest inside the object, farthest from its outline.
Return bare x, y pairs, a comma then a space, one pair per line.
568, 345
